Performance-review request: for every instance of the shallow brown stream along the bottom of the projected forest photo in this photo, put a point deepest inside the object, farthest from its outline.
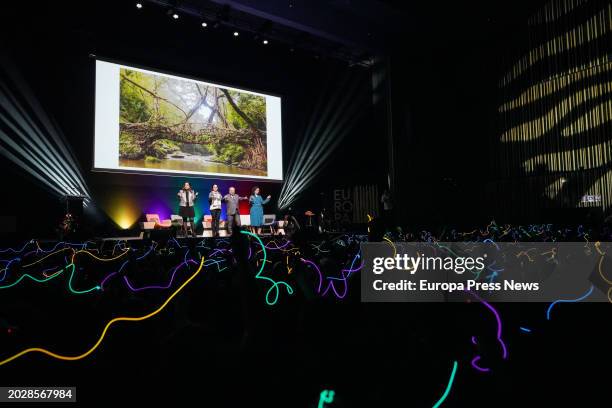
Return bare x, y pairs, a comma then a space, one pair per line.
194, 163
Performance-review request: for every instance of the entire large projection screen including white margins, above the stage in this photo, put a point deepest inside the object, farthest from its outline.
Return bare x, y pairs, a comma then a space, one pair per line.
154, 123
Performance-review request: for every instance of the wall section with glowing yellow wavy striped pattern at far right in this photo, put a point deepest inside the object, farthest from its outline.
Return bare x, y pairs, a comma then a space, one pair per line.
554, 147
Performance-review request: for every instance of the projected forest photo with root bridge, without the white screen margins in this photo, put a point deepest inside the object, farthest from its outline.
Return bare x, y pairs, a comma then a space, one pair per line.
181, 125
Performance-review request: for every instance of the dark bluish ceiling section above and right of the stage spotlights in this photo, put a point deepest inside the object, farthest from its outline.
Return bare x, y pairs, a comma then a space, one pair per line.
354, 30
